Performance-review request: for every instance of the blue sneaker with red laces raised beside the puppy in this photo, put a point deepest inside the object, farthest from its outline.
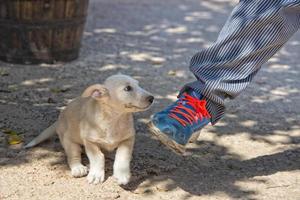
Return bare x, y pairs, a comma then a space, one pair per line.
175, 125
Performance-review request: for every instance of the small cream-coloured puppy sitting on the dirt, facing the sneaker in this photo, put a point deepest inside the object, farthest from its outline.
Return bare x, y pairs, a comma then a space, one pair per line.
101, 119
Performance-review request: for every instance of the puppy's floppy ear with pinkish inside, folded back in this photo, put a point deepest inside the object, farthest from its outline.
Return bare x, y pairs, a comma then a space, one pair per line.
96, 91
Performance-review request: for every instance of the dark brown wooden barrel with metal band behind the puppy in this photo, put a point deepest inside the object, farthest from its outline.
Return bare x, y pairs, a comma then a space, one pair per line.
41, 31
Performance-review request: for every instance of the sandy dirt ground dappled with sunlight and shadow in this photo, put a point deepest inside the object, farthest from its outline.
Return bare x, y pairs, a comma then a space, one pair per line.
253, 153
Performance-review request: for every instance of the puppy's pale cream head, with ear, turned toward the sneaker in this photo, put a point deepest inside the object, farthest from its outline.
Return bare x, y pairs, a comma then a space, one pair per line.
122, 93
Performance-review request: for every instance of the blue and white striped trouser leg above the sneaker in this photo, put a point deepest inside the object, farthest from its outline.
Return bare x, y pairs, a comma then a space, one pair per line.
254, 32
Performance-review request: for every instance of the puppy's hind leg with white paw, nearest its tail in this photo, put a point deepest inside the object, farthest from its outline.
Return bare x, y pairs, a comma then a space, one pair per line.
73, 152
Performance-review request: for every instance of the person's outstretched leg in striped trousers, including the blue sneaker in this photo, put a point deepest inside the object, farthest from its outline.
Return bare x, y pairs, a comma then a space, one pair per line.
254, 32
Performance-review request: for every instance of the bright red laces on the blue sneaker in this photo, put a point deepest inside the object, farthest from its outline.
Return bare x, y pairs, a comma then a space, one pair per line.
191, 115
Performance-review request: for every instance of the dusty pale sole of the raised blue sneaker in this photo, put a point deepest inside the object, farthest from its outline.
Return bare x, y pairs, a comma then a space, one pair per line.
175, 147
